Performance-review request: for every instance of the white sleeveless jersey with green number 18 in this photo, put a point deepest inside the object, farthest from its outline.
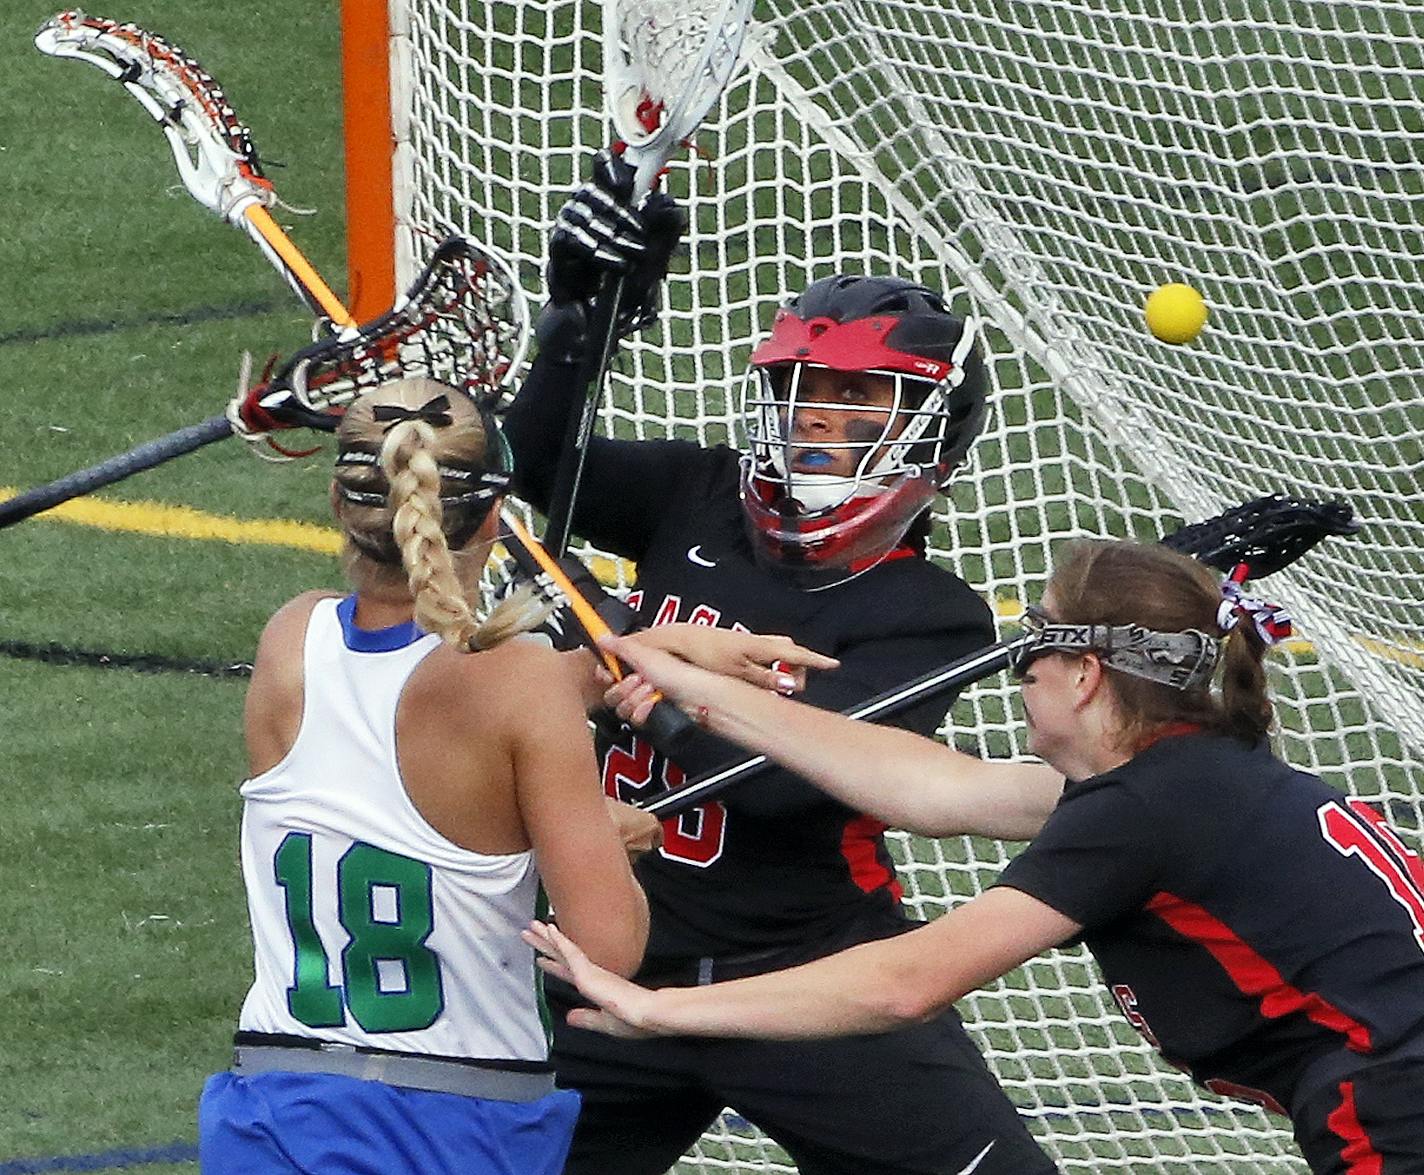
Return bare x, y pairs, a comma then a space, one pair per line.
370, 926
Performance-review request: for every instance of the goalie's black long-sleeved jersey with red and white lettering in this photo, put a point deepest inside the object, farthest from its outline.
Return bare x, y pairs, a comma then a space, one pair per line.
777, 865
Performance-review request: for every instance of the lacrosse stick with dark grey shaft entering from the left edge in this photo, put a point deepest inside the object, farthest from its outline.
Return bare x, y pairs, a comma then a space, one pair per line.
465, 321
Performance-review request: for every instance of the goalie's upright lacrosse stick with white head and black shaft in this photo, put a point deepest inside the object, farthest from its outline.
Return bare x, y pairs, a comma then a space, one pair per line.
666, 63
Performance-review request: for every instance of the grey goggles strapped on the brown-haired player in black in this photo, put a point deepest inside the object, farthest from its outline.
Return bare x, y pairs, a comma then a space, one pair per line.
1180, 660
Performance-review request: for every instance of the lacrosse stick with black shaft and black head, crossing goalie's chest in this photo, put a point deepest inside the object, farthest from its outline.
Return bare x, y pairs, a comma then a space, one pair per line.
1267, 535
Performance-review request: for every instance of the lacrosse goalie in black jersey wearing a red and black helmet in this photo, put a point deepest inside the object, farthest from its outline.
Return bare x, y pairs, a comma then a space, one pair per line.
859, 405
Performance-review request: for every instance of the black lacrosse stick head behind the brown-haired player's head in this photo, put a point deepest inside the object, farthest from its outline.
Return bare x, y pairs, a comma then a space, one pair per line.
1267, 533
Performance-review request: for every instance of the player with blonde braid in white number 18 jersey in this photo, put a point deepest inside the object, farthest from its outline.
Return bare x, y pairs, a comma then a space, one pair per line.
401, 818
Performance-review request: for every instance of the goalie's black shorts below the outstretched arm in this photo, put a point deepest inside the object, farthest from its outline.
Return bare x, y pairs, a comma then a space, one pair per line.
916, 1102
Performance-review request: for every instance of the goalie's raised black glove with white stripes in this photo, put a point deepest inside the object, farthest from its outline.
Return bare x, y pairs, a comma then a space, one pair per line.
600, 231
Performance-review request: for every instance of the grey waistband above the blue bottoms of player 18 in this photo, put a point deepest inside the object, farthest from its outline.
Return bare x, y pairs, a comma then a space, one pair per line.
412, 1073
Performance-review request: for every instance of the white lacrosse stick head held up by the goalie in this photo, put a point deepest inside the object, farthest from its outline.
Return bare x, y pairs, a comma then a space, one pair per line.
666, 63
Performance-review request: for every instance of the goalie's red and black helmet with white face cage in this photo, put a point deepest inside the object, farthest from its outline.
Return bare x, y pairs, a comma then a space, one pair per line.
935, 408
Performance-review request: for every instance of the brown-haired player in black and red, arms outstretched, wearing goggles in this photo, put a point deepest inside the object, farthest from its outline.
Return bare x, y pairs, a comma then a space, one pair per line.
1262, 929
